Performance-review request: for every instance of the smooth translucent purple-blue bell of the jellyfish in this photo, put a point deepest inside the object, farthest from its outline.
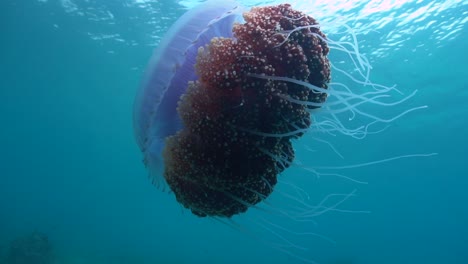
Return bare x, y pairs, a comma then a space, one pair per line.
168, 74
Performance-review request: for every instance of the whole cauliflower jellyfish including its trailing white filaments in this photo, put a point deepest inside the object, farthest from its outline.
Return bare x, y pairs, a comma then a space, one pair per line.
229, 96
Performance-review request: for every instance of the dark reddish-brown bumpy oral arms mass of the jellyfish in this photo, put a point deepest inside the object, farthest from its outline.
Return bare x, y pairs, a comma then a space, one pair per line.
220, 163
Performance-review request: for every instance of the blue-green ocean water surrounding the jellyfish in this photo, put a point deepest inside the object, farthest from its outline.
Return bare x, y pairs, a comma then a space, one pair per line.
70, 167
